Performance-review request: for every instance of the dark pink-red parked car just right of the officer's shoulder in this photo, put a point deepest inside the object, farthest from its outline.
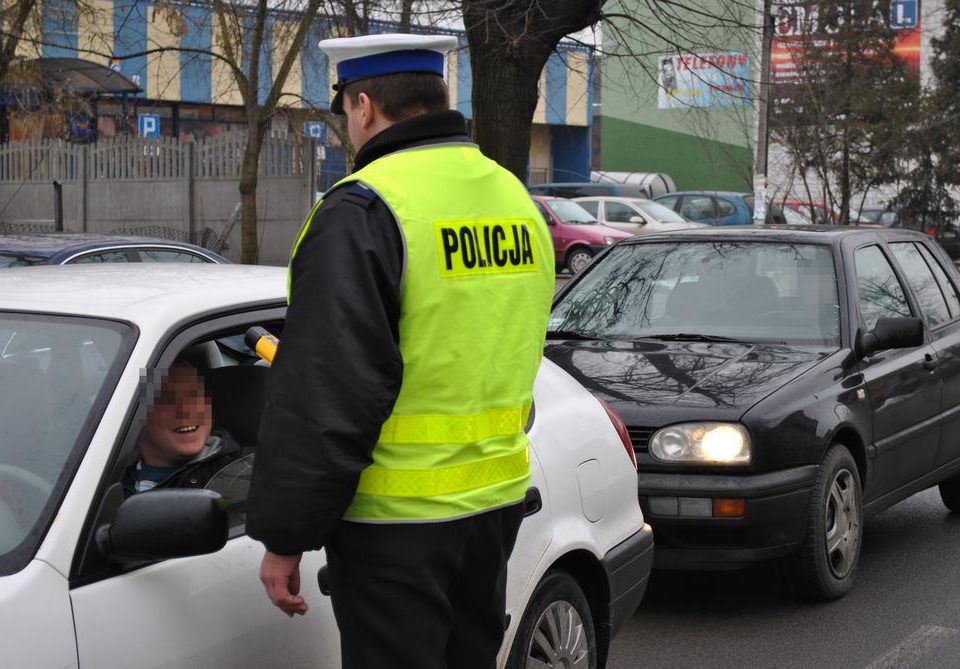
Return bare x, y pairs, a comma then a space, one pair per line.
577, 236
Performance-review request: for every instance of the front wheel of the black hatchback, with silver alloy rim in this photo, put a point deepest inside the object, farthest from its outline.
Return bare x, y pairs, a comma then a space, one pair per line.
826, 565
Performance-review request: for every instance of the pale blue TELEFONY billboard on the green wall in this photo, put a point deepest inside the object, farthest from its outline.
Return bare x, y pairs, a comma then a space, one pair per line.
703, 80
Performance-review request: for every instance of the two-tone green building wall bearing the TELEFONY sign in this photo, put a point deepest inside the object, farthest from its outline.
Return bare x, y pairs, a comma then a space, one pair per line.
677, 95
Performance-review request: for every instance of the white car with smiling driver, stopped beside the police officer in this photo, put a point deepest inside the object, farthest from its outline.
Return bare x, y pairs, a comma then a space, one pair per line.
168, 578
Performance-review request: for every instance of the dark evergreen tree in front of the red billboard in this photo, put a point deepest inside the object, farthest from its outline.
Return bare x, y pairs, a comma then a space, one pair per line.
844, 118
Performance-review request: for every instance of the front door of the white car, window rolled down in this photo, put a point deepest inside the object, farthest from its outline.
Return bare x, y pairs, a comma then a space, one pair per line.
200, 611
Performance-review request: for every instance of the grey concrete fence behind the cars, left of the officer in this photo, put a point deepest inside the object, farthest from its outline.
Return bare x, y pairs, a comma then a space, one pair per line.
183, 206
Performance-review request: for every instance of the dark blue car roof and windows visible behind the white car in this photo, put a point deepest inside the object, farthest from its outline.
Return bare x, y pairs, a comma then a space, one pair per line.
64, 248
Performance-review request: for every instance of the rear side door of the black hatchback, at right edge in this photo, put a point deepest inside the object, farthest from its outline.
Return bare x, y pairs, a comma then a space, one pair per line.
940, 304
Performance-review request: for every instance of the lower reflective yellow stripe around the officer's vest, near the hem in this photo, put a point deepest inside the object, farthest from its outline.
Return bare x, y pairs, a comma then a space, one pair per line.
431, 482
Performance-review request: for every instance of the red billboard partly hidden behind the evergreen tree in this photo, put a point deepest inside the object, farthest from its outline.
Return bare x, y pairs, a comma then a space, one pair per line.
798, 28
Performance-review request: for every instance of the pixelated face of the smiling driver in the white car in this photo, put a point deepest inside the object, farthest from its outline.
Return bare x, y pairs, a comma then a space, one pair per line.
179, 421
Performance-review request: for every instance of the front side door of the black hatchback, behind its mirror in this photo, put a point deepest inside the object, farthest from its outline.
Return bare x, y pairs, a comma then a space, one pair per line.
903, 385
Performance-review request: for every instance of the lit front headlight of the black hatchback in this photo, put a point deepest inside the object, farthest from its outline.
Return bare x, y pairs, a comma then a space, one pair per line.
703, 443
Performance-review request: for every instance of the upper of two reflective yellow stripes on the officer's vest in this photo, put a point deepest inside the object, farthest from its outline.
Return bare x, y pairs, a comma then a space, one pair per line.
454, 429
